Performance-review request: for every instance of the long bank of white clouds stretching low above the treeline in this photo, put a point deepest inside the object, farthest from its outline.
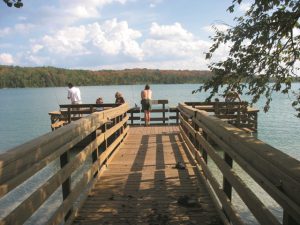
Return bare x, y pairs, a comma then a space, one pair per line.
167, 47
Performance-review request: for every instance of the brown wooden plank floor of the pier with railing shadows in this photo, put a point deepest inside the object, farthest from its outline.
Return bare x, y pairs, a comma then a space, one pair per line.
142, 186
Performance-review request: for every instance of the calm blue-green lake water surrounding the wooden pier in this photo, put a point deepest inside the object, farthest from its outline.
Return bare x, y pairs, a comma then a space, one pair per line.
24, 116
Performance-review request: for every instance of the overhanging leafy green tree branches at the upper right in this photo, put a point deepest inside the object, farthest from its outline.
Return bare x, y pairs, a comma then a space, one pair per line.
264, 51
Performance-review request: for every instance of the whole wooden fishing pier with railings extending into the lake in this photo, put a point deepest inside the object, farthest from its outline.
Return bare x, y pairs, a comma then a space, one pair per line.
187, 167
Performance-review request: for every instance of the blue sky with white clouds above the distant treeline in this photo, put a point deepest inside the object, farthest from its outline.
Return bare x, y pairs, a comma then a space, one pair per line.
112, 34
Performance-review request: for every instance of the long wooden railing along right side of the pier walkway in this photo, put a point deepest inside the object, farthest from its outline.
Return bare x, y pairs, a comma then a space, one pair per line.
278, 174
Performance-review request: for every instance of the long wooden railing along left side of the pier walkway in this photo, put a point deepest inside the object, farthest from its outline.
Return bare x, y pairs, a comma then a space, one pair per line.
92, 140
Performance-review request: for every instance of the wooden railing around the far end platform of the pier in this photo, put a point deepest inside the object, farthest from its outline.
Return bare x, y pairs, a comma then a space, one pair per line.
237, 113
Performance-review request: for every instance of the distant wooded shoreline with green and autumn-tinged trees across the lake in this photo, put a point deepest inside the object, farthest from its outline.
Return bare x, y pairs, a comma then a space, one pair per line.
15, 76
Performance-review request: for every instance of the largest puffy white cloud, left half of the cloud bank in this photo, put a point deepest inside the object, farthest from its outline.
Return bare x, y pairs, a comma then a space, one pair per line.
111, 37
